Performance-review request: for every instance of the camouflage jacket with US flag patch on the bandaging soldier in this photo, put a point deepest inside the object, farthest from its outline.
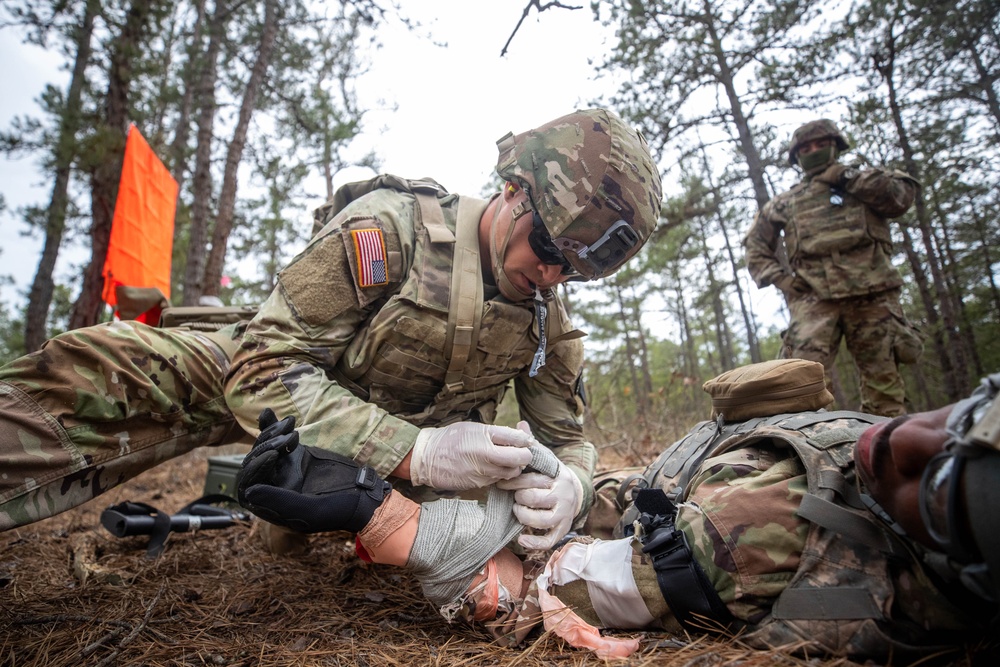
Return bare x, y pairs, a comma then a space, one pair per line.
361, 362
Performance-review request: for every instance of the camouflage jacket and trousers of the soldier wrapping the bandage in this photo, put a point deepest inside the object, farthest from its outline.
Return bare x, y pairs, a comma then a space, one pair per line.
361, 368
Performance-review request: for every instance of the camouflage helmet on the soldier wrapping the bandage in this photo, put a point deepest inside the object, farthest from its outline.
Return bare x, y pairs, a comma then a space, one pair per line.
592, 182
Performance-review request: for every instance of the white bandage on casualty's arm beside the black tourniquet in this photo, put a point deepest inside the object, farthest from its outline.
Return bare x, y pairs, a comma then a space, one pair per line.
606, 566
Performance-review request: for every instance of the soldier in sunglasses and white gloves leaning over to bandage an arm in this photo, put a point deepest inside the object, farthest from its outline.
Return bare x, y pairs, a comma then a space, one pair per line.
391, 338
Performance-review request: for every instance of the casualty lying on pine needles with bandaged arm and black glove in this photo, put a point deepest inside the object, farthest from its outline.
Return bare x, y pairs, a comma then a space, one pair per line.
837, 532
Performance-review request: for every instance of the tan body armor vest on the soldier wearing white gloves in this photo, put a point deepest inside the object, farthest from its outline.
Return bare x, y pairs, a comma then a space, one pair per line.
435, 353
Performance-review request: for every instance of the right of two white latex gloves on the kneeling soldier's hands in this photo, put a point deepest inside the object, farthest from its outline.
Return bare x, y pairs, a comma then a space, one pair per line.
546, 504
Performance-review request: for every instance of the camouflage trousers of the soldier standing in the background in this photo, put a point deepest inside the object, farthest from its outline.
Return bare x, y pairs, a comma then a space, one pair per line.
870, 326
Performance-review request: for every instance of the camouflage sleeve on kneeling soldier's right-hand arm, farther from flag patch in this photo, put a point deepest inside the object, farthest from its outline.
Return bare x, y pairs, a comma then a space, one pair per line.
551, 404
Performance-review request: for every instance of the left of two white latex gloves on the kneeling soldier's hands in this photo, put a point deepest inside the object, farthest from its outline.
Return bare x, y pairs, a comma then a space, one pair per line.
468, 455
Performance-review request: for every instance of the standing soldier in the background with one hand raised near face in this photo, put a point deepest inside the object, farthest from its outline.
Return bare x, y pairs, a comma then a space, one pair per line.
840, 281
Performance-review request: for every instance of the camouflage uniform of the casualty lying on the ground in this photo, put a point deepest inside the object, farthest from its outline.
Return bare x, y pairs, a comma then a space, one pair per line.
836, 582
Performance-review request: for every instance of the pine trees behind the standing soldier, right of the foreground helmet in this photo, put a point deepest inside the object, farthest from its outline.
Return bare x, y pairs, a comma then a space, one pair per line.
914, 83
